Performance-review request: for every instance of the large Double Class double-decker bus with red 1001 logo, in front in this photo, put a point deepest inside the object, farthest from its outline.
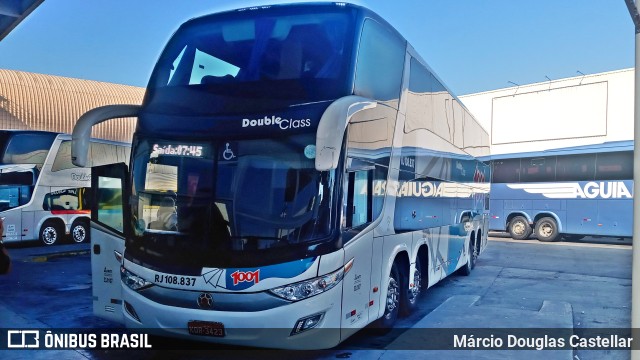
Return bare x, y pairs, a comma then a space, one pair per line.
297, 173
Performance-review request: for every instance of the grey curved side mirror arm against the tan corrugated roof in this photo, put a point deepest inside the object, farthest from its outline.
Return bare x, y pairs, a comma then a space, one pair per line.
81, 136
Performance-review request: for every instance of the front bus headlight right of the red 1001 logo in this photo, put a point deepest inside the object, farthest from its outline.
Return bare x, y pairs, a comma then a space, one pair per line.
312, 287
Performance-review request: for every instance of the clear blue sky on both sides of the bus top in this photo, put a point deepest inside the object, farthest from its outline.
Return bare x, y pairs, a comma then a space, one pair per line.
473, 45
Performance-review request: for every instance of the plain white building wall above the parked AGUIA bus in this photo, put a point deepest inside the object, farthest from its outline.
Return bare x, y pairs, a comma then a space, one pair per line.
581, 110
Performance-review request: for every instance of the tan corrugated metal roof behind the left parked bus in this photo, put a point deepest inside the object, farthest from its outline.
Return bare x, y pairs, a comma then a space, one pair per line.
54, 103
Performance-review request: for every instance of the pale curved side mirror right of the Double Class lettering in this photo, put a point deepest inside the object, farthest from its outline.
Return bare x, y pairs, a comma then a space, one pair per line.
332, 126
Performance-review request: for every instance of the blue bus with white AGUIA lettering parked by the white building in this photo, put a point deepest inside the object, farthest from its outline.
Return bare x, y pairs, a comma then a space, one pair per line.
565, 193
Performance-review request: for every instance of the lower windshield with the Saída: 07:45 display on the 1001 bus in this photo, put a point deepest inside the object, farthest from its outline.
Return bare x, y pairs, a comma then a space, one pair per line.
212, 201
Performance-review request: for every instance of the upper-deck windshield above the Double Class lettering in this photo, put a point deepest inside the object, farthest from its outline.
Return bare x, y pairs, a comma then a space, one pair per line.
276, 59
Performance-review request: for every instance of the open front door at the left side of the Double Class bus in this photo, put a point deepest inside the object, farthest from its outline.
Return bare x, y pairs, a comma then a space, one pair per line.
107, 239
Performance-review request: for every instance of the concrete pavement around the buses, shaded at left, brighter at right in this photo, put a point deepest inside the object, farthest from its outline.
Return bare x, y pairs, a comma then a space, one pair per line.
513, 287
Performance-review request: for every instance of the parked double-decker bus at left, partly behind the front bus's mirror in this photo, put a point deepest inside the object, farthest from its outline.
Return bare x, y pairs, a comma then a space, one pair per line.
42, 194
